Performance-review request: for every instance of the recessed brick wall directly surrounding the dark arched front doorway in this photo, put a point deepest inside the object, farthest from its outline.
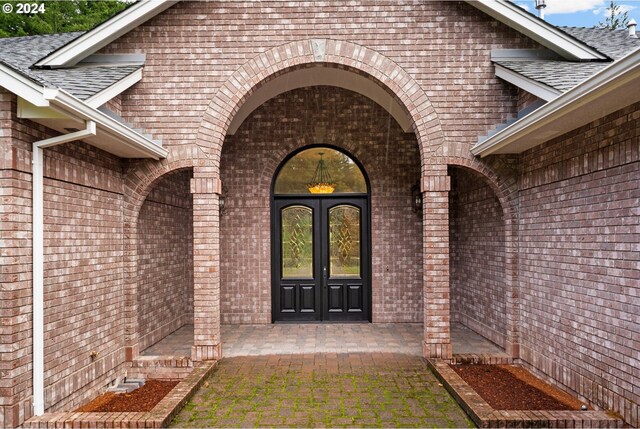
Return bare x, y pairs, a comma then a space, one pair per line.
250, 159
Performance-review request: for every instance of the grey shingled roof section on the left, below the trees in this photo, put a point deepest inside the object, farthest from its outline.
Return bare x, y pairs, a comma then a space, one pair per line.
82, 81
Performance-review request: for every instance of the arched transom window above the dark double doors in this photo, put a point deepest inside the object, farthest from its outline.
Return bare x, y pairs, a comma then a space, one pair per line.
302, 170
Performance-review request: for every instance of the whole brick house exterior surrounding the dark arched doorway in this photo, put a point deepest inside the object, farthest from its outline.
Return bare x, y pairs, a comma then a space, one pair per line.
530, 237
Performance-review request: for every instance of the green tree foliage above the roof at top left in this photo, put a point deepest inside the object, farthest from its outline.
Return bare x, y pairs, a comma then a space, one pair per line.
56, 16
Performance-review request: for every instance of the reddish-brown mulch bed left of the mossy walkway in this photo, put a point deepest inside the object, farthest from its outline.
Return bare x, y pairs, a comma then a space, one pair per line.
139, 400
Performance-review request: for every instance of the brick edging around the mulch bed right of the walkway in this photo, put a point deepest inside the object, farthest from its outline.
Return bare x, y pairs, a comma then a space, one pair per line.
484, 416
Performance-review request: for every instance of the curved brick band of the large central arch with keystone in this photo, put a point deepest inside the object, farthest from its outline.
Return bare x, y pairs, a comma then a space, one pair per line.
326, 52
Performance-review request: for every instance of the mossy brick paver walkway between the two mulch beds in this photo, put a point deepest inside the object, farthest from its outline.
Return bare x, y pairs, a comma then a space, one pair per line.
322, 390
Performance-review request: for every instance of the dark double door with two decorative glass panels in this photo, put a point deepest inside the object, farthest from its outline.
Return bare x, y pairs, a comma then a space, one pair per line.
321, 259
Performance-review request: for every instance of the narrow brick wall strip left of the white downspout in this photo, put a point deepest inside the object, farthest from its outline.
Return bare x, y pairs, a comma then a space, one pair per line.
15, 276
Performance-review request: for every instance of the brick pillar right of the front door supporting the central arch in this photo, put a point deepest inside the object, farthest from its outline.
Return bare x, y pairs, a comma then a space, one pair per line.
435, 215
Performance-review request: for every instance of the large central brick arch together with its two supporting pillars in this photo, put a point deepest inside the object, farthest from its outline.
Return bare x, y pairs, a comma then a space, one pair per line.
426, 126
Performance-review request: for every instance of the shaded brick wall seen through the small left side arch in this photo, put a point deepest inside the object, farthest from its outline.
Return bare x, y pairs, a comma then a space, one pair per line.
165, 259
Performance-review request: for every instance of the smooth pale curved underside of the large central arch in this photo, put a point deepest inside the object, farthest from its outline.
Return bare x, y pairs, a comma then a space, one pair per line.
315, 76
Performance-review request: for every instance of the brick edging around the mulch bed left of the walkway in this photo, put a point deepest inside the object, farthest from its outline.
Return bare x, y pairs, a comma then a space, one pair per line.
159, 417
